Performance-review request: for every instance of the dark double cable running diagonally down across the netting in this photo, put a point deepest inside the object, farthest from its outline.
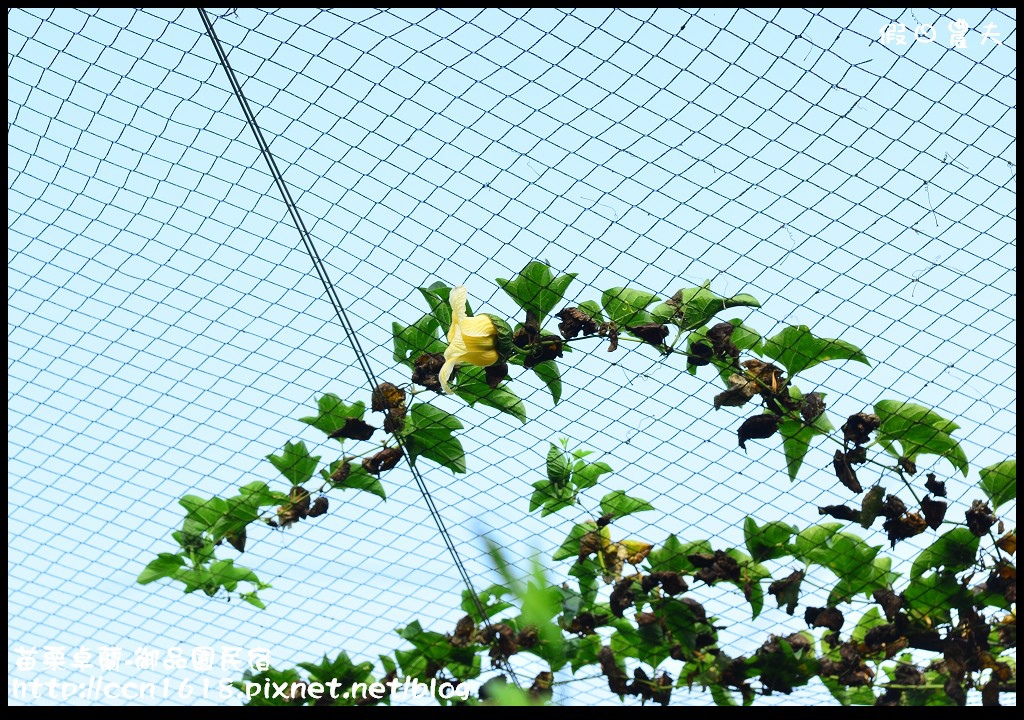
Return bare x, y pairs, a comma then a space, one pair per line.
339, 309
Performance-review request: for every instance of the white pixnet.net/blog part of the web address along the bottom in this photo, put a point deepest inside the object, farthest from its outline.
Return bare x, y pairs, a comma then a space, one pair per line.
411, 689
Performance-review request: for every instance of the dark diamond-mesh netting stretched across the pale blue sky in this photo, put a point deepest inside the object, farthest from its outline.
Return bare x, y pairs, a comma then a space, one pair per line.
167, 329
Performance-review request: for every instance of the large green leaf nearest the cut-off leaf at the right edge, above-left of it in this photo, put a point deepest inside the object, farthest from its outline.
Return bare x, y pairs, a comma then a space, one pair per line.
920, 432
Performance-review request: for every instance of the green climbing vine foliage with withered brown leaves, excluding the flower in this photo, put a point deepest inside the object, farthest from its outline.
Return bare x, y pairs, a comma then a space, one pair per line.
634, 610
